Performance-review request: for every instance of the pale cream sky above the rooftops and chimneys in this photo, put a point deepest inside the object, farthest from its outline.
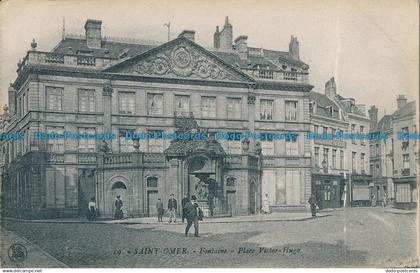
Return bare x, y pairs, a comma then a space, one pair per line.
370, 47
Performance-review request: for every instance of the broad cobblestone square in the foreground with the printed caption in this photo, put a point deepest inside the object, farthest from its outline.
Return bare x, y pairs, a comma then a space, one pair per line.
364, 237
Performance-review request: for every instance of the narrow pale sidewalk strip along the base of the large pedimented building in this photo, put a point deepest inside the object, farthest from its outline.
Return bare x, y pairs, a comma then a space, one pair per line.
273, 217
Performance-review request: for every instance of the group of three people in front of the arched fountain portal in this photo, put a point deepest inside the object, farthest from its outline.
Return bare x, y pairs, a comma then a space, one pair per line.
190, 211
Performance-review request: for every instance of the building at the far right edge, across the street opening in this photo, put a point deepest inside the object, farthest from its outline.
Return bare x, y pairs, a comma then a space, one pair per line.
396, 160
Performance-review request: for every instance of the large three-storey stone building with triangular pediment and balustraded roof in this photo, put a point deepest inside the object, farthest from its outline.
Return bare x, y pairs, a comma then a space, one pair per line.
95, 86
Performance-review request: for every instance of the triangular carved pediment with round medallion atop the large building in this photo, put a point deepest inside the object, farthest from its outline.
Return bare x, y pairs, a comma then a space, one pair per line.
180, 58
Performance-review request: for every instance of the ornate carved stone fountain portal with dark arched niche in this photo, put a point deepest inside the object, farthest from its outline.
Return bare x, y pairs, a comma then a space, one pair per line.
201, 164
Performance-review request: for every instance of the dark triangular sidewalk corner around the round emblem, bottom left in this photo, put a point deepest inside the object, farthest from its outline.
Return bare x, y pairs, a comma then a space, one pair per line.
35, 258
